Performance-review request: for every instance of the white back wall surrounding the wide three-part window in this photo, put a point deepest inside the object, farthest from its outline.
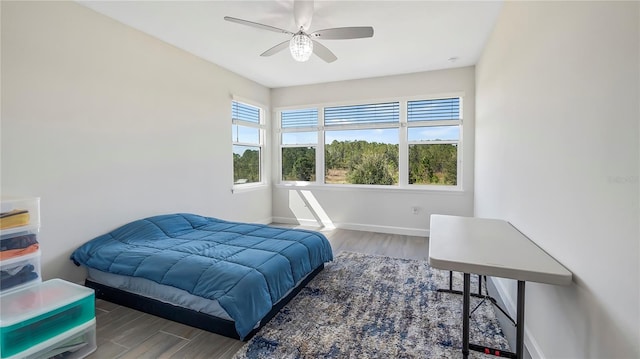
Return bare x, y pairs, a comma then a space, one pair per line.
386, 211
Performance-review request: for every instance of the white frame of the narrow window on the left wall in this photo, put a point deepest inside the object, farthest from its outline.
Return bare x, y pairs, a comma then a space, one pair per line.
262, 129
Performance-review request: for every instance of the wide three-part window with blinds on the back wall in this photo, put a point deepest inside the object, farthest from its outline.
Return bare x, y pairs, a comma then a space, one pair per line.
395, 144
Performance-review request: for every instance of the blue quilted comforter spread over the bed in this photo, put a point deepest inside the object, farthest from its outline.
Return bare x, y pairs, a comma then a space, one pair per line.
247, 268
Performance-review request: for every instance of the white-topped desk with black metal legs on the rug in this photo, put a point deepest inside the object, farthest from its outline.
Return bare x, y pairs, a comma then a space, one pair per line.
495, 248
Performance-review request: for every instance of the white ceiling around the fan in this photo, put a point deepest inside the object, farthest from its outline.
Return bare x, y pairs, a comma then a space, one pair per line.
409, 36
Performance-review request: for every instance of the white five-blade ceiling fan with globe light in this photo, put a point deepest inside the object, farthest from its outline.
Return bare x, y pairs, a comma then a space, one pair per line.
303, 43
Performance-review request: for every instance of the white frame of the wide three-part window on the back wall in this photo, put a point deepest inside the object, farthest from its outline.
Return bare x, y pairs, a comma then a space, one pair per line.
403, 143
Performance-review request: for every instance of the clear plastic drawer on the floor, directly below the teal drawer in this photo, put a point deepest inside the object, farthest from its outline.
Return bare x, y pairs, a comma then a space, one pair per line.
76, 343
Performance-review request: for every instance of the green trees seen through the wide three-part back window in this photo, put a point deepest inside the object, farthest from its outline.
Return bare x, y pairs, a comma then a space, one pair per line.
362, 162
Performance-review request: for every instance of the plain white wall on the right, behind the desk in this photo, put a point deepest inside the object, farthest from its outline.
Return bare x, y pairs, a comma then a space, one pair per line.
557, 156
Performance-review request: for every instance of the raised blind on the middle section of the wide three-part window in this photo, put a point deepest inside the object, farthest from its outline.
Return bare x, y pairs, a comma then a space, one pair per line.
362, 114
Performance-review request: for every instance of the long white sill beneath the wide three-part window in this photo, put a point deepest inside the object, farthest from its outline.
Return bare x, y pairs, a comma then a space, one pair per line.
372, 188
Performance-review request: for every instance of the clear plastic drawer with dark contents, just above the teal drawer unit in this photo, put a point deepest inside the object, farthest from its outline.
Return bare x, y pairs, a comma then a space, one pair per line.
19, 272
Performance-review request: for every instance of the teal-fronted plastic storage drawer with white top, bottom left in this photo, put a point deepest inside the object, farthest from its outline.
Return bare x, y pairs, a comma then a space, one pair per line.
37, 313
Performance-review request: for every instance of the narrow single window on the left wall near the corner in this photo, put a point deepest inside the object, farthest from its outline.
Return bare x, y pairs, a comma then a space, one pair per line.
248, 138
